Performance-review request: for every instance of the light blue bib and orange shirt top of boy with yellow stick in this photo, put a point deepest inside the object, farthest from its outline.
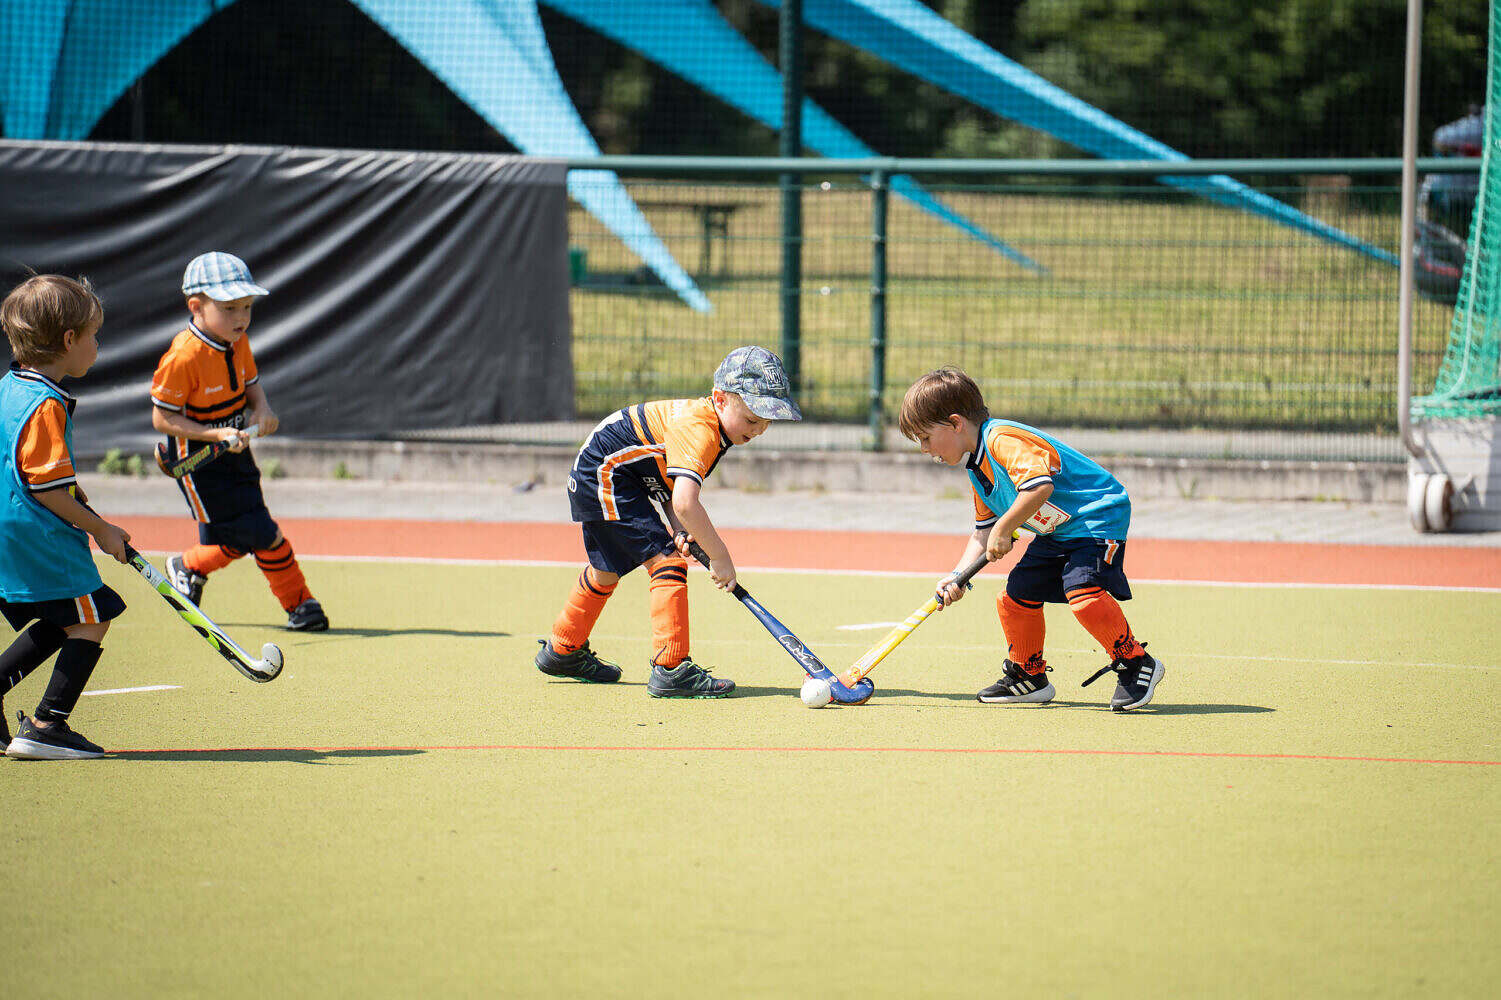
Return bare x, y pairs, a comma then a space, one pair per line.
1086, 502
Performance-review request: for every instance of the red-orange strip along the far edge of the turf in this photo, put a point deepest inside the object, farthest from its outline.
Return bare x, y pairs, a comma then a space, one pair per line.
1149, 559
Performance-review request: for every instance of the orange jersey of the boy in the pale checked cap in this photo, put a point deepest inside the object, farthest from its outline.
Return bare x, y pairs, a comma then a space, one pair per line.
205, 381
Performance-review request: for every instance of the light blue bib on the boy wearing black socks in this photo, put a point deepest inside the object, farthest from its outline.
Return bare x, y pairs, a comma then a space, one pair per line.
46, 558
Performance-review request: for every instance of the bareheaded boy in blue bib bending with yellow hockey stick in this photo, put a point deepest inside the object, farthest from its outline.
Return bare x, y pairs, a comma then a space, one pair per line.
1078, 514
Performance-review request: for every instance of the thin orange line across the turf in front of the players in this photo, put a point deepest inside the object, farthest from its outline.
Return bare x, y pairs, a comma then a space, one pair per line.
811, 750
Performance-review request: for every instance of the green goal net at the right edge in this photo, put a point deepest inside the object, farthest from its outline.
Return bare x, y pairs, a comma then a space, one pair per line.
1470, 376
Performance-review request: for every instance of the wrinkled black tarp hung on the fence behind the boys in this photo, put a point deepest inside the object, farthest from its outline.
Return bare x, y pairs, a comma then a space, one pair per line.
409, 291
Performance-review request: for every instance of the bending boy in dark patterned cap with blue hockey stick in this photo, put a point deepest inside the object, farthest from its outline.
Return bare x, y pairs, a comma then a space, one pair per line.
660, 454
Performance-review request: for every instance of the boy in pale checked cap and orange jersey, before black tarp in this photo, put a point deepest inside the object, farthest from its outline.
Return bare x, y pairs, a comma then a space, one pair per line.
208, 390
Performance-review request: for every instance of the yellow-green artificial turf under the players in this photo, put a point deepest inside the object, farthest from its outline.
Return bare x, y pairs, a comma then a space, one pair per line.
475, 828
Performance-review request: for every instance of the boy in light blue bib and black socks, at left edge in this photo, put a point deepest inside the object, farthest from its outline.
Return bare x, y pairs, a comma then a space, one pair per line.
47, 576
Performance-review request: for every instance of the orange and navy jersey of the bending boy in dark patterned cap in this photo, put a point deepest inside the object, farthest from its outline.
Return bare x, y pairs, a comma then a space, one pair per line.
639, 451
